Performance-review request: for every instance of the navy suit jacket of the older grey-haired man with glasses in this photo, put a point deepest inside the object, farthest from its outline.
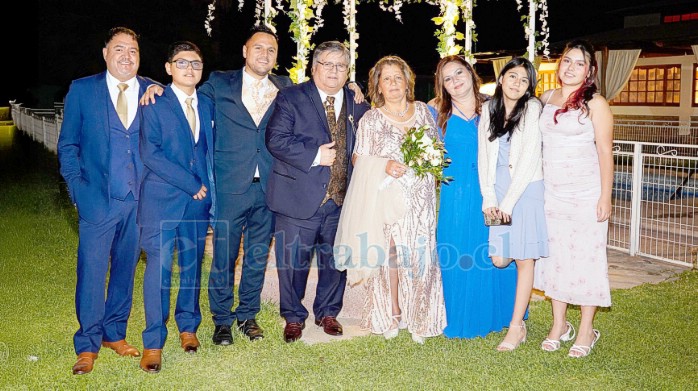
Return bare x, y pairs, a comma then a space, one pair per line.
295, 131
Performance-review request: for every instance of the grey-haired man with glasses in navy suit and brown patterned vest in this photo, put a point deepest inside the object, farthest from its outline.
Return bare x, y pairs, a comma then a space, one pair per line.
311, 136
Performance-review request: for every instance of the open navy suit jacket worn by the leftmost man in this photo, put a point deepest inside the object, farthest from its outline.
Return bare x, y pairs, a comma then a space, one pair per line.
84, 148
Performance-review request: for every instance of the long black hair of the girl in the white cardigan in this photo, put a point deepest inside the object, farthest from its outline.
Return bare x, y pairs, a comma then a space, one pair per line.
499, 123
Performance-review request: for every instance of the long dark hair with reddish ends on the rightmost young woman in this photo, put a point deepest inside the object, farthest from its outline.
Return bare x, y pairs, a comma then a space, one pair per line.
581, 97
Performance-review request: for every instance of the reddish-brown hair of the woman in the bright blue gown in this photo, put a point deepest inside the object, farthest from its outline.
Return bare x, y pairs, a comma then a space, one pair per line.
443, 101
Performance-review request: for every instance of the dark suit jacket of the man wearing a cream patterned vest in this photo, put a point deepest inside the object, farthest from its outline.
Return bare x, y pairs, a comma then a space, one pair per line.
239, 142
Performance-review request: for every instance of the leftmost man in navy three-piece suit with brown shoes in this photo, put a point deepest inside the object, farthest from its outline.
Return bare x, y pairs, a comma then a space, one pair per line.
99, 160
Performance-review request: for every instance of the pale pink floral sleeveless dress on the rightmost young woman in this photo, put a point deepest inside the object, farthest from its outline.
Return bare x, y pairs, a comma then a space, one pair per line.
576, 272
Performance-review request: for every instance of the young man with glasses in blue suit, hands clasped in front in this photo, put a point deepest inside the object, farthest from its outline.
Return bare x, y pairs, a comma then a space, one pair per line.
176, 199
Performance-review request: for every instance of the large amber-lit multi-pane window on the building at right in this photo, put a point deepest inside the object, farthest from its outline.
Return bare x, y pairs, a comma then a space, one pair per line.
652, 86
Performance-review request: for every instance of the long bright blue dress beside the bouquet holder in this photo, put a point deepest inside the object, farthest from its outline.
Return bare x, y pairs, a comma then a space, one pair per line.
479, 297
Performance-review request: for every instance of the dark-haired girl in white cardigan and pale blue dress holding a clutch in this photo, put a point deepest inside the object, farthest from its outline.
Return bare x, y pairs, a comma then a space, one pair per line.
511, 181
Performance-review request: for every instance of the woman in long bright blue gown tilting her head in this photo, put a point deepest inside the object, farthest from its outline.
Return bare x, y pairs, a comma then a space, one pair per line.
479, 297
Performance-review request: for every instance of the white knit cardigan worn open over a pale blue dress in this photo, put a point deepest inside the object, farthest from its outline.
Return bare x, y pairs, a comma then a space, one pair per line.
525, 157
